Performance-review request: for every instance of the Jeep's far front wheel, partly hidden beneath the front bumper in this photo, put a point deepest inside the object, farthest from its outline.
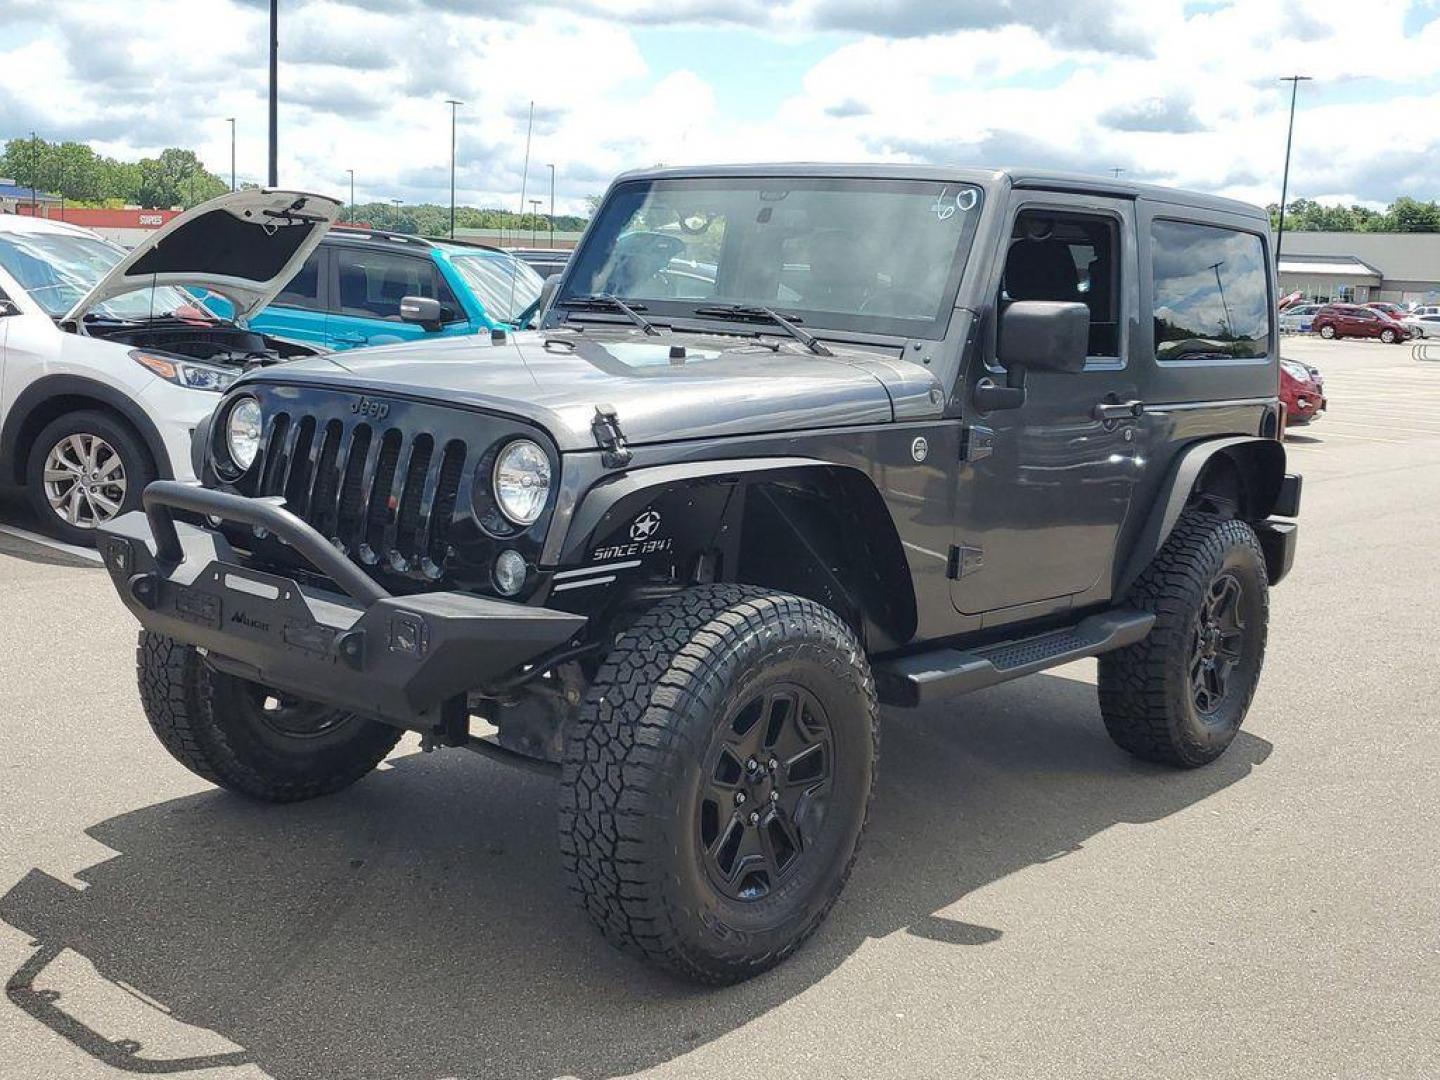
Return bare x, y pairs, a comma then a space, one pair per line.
247, 738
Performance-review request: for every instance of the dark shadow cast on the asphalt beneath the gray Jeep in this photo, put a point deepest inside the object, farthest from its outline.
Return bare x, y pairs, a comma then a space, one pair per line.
417, 925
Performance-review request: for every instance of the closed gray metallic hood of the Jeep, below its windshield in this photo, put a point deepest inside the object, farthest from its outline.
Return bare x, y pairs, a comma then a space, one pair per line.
716, 387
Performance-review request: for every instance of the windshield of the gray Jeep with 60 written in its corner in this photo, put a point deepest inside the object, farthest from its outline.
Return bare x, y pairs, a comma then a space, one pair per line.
845, 254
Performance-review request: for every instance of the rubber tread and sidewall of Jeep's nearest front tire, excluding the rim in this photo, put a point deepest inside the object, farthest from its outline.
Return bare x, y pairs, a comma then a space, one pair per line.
633, 774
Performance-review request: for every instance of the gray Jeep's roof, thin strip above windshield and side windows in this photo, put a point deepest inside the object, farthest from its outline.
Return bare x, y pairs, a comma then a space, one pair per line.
1039, 179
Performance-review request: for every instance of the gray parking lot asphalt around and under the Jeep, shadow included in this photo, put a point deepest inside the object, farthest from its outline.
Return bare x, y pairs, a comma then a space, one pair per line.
1030, 902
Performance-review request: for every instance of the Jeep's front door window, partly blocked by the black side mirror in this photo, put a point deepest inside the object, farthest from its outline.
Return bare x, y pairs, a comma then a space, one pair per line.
1069, 257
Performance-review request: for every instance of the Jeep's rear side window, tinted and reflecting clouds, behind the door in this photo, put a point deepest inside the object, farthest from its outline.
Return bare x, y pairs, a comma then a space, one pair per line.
1210, 293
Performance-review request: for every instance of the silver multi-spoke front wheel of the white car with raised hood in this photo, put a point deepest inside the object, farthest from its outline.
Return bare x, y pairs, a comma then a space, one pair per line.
84, 470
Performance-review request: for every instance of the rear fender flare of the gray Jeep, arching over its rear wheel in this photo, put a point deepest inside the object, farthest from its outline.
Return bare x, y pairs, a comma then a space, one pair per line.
1258, 462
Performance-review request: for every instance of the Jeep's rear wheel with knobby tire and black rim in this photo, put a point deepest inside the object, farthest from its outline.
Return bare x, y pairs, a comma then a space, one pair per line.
1180, 696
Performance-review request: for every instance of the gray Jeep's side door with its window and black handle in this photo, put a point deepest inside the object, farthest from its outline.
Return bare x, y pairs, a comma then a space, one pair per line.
1045, 487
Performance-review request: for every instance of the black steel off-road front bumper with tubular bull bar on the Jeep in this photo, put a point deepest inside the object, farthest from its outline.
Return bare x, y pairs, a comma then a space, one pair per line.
395, 659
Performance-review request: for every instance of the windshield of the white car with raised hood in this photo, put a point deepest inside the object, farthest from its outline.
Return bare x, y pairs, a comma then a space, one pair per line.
57, 270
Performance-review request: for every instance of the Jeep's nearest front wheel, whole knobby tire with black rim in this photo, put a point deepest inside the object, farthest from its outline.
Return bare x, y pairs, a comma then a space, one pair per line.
718, 780
